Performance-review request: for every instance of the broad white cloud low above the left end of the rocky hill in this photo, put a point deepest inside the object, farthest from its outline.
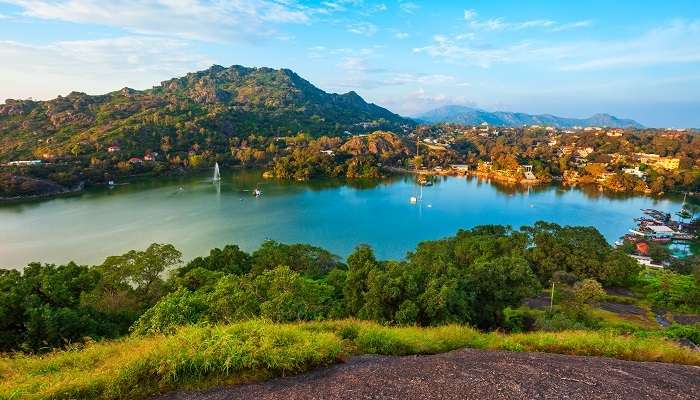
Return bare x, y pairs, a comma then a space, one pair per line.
99, 65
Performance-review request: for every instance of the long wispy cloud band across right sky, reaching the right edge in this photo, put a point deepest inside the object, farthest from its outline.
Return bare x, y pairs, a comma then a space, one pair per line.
668, 44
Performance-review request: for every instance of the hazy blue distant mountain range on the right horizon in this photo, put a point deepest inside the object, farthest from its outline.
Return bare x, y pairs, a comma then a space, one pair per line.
474, 116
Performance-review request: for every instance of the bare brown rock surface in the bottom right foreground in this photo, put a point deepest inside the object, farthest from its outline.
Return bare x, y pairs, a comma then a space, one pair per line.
474, 374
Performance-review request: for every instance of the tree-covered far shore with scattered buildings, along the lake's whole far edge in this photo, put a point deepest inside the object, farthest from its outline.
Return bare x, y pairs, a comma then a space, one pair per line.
648, 161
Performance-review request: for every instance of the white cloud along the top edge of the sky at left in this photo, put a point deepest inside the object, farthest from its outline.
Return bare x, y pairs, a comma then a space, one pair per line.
216, 21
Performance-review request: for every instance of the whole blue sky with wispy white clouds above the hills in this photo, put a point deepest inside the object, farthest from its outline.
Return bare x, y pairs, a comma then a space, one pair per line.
566, 58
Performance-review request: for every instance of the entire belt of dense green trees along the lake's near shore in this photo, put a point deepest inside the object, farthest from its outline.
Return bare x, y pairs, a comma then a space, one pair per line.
473, 278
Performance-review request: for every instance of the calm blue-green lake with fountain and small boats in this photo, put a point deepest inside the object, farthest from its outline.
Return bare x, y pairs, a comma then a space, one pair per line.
196, 215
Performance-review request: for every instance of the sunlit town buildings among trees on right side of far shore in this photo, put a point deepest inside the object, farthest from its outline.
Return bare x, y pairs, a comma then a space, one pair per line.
620, 160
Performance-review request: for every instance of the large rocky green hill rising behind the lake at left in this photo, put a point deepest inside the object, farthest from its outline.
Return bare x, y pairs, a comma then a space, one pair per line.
206, 106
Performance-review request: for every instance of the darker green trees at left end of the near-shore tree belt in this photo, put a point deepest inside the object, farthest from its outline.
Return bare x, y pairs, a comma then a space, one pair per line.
48, 306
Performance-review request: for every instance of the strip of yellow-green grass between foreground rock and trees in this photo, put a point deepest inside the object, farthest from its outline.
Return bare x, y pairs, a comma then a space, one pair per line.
205, 356
